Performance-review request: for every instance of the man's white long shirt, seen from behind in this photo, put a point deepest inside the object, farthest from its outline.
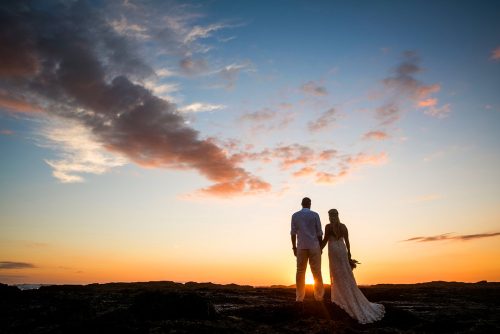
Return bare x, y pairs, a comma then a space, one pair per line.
307, 226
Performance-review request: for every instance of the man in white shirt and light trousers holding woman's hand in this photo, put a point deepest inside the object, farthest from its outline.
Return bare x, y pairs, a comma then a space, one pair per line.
306, 244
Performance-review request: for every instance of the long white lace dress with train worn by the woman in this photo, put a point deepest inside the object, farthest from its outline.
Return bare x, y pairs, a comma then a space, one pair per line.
345, 292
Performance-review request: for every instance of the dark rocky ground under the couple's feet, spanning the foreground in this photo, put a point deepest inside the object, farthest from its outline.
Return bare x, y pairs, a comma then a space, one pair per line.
168, 307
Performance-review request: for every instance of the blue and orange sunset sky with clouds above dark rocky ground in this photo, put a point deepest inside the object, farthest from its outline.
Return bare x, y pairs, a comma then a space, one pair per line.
164, 140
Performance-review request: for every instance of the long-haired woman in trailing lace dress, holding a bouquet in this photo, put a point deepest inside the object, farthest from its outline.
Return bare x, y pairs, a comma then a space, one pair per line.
345, 292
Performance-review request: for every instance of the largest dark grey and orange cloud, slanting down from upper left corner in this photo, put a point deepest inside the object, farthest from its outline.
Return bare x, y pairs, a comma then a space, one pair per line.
89, 74
